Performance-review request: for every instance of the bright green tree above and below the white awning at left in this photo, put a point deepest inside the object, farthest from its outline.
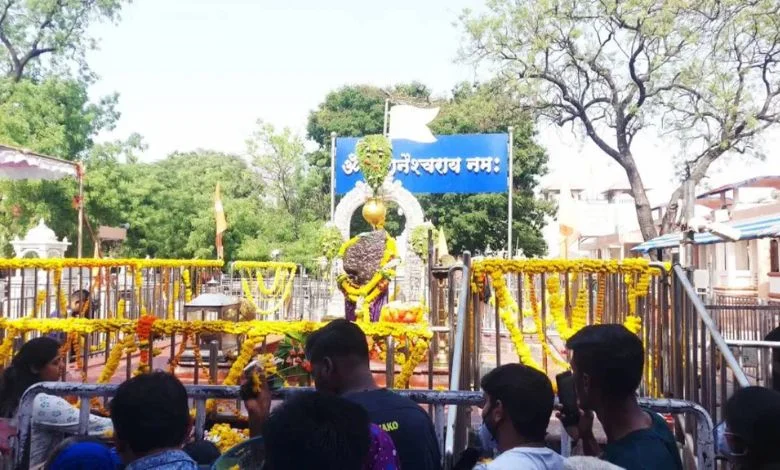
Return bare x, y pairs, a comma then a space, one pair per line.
53, 117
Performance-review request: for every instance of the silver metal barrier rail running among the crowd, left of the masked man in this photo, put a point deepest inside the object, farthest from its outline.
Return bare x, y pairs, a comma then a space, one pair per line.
199, 394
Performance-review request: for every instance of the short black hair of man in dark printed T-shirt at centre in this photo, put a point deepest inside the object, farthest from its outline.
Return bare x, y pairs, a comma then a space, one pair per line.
339, 338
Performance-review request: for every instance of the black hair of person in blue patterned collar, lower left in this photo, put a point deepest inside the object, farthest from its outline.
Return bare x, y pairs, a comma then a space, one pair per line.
151, 412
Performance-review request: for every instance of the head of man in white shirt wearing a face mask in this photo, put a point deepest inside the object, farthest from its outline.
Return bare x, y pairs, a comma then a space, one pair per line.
519, 403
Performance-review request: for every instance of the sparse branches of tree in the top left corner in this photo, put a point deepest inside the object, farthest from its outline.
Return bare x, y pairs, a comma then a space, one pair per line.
54, 30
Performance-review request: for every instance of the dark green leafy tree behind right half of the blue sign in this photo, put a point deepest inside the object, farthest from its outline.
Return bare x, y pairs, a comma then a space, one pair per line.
475, 221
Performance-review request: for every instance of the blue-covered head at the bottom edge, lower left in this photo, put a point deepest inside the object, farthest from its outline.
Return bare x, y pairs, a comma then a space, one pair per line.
82, 453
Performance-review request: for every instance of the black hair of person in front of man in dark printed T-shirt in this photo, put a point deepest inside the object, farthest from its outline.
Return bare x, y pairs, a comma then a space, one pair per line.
317, 430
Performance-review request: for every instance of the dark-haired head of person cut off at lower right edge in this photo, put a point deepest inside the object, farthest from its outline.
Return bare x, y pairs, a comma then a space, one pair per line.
752, 427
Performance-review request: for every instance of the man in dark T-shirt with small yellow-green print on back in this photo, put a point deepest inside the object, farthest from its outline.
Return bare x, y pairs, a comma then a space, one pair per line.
338, 354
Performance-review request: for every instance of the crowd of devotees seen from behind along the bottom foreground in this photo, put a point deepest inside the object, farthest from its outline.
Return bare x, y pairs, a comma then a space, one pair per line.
350, 423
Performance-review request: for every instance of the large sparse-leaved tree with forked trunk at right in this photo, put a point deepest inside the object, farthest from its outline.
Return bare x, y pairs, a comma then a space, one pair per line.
702, 72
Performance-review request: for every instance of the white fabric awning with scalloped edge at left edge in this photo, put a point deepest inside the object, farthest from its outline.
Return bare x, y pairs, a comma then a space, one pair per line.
18, 164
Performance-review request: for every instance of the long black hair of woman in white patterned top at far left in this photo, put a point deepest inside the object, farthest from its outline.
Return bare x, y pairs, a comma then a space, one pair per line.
19, 376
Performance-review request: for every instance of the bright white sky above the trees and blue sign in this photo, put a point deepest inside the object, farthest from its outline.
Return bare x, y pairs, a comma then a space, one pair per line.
198, 74
